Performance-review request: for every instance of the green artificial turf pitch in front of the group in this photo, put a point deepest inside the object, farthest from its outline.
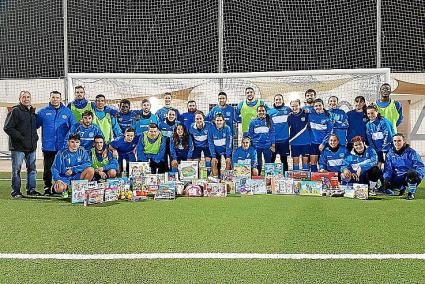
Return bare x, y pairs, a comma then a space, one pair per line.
248, 224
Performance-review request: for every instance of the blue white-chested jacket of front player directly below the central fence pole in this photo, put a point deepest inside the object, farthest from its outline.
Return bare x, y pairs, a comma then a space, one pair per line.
220, 141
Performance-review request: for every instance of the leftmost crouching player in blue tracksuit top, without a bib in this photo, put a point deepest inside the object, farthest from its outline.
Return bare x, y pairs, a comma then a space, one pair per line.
71, 163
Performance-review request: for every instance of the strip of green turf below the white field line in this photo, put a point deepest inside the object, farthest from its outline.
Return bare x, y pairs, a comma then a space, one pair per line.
213, 271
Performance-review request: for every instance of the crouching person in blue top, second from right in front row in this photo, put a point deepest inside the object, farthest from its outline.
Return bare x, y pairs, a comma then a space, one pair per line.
360, 166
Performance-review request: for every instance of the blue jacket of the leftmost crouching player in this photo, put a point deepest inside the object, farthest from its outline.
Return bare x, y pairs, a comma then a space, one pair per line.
64, 160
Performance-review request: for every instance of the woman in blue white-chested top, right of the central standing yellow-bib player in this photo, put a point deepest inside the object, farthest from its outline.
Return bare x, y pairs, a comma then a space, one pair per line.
262, 134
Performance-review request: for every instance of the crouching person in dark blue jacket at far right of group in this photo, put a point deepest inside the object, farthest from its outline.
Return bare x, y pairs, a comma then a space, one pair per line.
403, 167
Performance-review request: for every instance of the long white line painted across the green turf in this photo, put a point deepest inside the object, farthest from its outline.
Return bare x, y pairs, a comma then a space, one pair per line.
209, 256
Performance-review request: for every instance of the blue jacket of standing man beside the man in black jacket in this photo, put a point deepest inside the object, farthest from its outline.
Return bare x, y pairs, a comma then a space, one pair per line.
55, 124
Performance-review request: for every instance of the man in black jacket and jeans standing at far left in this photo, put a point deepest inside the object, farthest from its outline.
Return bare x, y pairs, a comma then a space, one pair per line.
21, 127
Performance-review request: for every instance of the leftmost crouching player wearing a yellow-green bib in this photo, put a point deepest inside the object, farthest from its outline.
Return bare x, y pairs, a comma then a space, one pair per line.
104, 163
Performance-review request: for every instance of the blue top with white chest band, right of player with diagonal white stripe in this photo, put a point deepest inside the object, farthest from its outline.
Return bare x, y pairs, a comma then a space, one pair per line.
321, 127
